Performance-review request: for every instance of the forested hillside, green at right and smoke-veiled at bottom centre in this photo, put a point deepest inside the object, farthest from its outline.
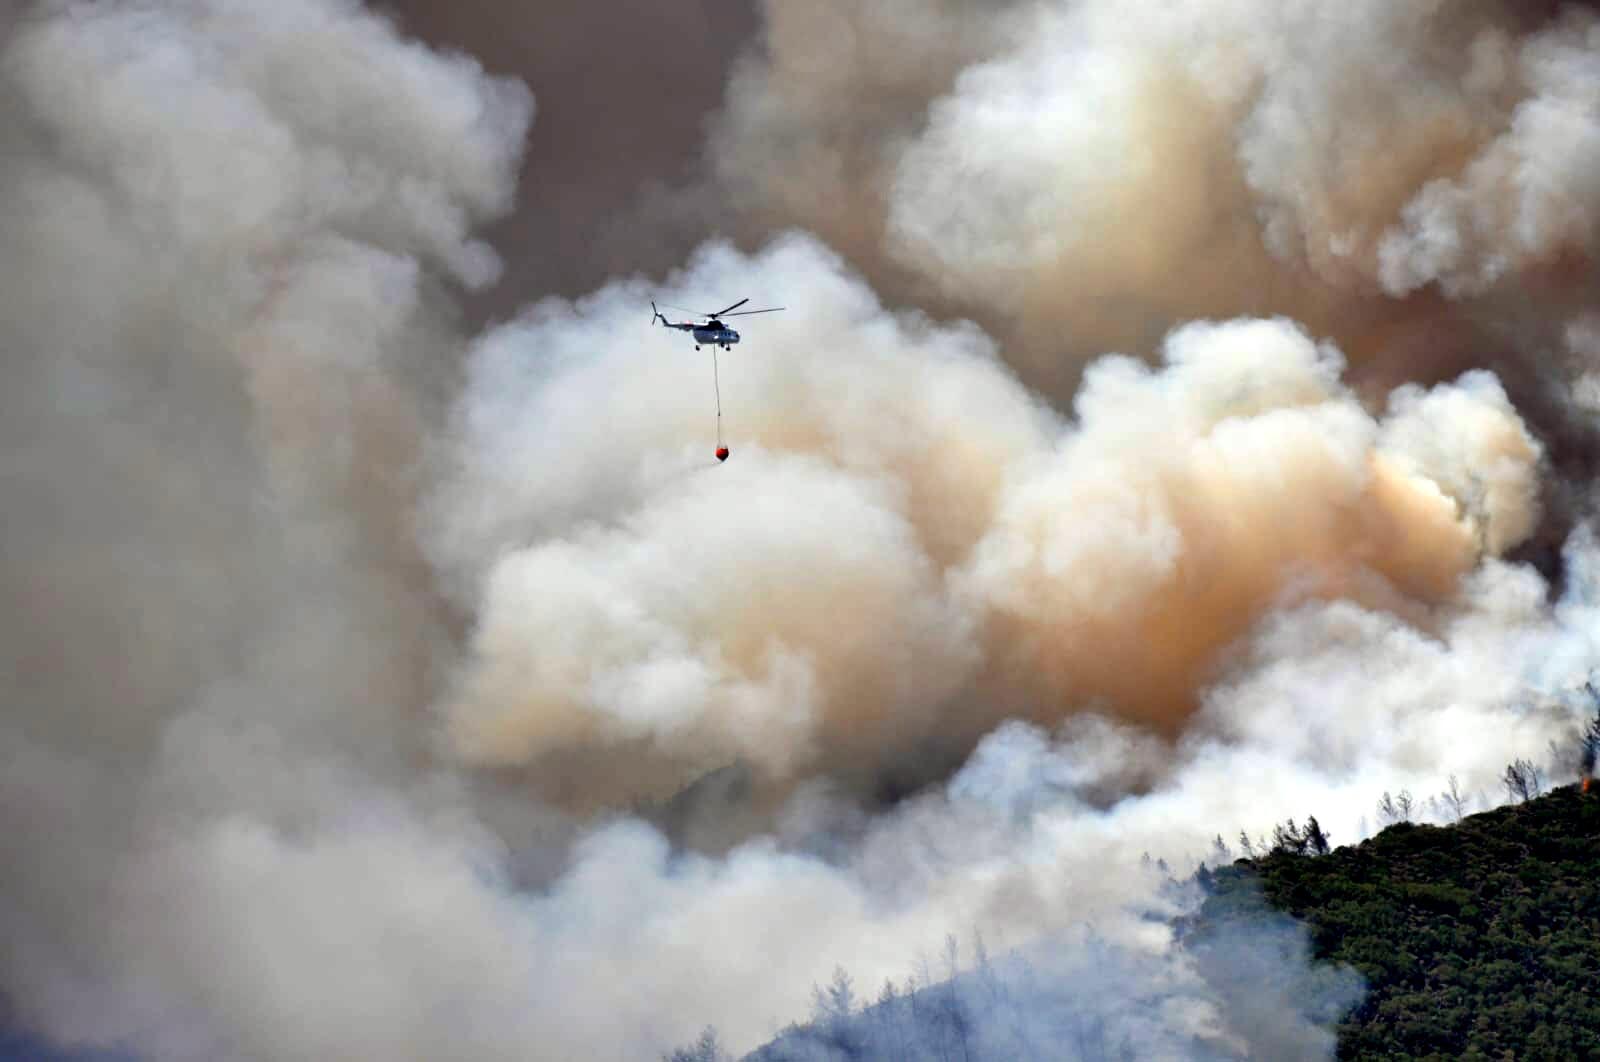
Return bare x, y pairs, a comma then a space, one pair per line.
1471, 941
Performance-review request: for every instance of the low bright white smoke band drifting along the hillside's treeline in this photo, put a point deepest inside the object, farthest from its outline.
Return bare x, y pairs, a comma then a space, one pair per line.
1041, 834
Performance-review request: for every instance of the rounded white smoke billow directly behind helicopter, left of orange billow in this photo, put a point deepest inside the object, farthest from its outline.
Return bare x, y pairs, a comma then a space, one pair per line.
868, 453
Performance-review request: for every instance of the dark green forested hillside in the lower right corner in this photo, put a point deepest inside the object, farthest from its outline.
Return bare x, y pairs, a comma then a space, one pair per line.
1478, 941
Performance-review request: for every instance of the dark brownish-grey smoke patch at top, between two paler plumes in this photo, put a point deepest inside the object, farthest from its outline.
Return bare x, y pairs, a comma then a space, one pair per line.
625, 92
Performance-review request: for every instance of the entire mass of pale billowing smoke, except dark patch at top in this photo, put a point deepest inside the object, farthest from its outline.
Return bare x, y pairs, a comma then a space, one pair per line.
380, 692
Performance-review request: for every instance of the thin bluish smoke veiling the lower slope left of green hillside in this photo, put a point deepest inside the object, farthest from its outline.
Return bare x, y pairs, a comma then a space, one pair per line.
1078, 996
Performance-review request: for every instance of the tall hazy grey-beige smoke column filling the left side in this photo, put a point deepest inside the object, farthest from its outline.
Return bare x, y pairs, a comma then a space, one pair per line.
225, 231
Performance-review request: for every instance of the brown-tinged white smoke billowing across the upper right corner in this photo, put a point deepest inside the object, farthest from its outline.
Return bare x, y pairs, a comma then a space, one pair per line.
1084, 177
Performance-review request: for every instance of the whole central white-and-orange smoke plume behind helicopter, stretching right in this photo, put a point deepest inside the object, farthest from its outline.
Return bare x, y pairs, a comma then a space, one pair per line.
964, 554
